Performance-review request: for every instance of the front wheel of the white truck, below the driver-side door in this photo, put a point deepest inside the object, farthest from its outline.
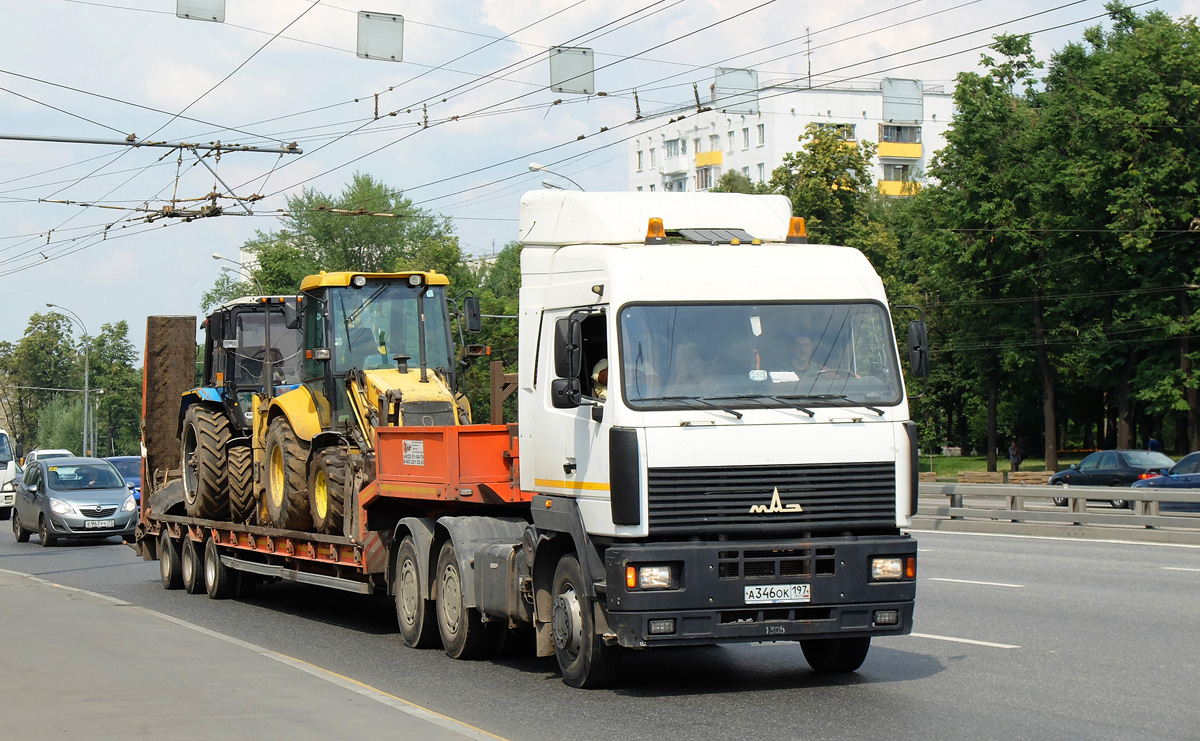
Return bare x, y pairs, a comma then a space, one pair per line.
584, 659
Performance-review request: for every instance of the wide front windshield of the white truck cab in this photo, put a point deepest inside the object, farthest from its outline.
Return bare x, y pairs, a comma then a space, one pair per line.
747, 356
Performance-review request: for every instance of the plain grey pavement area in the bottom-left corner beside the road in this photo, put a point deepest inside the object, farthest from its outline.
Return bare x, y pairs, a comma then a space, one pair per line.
83, 666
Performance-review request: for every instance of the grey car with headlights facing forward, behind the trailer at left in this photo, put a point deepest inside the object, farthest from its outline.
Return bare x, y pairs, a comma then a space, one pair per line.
73, 498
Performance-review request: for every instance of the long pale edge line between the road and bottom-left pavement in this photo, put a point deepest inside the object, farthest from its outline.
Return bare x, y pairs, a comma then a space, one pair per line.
368, 691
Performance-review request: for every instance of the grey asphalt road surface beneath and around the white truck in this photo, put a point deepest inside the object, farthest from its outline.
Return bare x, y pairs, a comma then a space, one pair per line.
1016, 638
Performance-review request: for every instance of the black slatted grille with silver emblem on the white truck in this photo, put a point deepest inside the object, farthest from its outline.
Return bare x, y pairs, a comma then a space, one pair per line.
832, 497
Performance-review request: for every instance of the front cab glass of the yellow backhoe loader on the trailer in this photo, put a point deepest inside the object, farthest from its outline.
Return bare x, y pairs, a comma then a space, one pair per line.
374, 324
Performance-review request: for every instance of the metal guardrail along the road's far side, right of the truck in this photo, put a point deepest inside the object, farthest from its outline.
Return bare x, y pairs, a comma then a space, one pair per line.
1030, 510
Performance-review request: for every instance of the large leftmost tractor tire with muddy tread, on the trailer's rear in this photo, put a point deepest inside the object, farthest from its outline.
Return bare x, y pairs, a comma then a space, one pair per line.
203, 451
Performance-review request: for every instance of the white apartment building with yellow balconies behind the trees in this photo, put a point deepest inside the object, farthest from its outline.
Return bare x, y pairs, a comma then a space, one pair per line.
683, 150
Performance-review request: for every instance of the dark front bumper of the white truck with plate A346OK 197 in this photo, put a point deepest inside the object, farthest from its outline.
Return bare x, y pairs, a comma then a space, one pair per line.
710, 601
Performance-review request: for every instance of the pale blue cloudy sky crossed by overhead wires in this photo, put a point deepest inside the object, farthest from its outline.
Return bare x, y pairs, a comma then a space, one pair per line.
454, 125
